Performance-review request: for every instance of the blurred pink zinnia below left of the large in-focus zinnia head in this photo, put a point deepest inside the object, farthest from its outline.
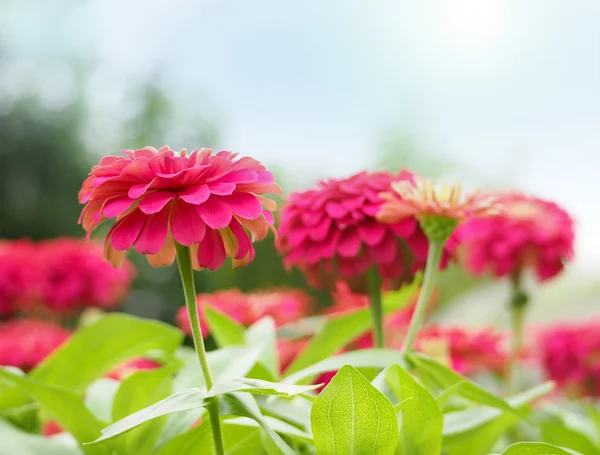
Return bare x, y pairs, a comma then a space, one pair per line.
74, 276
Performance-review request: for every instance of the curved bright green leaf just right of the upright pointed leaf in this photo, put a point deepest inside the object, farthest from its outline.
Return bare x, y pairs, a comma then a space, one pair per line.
422, 420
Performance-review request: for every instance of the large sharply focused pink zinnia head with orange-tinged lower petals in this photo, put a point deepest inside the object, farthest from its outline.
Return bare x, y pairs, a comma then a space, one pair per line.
204, 201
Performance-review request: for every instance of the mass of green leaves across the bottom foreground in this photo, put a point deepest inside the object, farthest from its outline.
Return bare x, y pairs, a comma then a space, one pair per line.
414, 406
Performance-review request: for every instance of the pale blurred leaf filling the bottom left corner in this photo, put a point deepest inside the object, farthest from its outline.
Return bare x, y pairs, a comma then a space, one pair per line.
17, 442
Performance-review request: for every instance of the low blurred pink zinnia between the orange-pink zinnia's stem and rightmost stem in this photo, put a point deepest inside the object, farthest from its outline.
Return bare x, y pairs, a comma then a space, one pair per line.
470, 351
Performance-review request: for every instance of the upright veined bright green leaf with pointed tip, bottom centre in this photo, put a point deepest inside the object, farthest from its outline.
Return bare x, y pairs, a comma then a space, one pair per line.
350, 416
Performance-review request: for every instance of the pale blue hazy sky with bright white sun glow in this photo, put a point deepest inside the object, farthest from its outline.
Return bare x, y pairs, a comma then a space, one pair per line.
311, 86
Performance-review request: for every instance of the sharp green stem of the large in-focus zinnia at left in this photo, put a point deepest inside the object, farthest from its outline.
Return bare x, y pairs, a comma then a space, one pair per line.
186, 272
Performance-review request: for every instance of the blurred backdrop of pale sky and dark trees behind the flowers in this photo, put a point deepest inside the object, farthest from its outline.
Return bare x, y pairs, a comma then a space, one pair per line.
497, 94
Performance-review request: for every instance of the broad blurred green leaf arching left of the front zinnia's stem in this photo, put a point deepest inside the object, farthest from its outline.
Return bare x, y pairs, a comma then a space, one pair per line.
97, 348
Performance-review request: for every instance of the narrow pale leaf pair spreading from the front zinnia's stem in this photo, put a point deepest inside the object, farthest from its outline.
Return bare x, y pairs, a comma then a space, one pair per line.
194, 398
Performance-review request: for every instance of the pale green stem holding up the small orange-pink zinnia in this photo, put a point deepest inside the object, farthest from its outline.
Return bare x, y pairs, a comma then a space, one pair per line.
434, 256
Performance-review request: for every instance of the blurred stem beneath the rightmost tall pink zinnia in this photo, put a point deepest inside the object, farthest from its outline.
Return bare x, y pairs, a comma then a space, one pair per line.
518, 305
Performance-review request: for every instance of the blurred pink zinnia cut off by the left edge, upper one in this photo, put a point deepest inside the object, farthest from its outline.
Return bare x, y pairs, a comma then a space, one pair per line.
19, 276
